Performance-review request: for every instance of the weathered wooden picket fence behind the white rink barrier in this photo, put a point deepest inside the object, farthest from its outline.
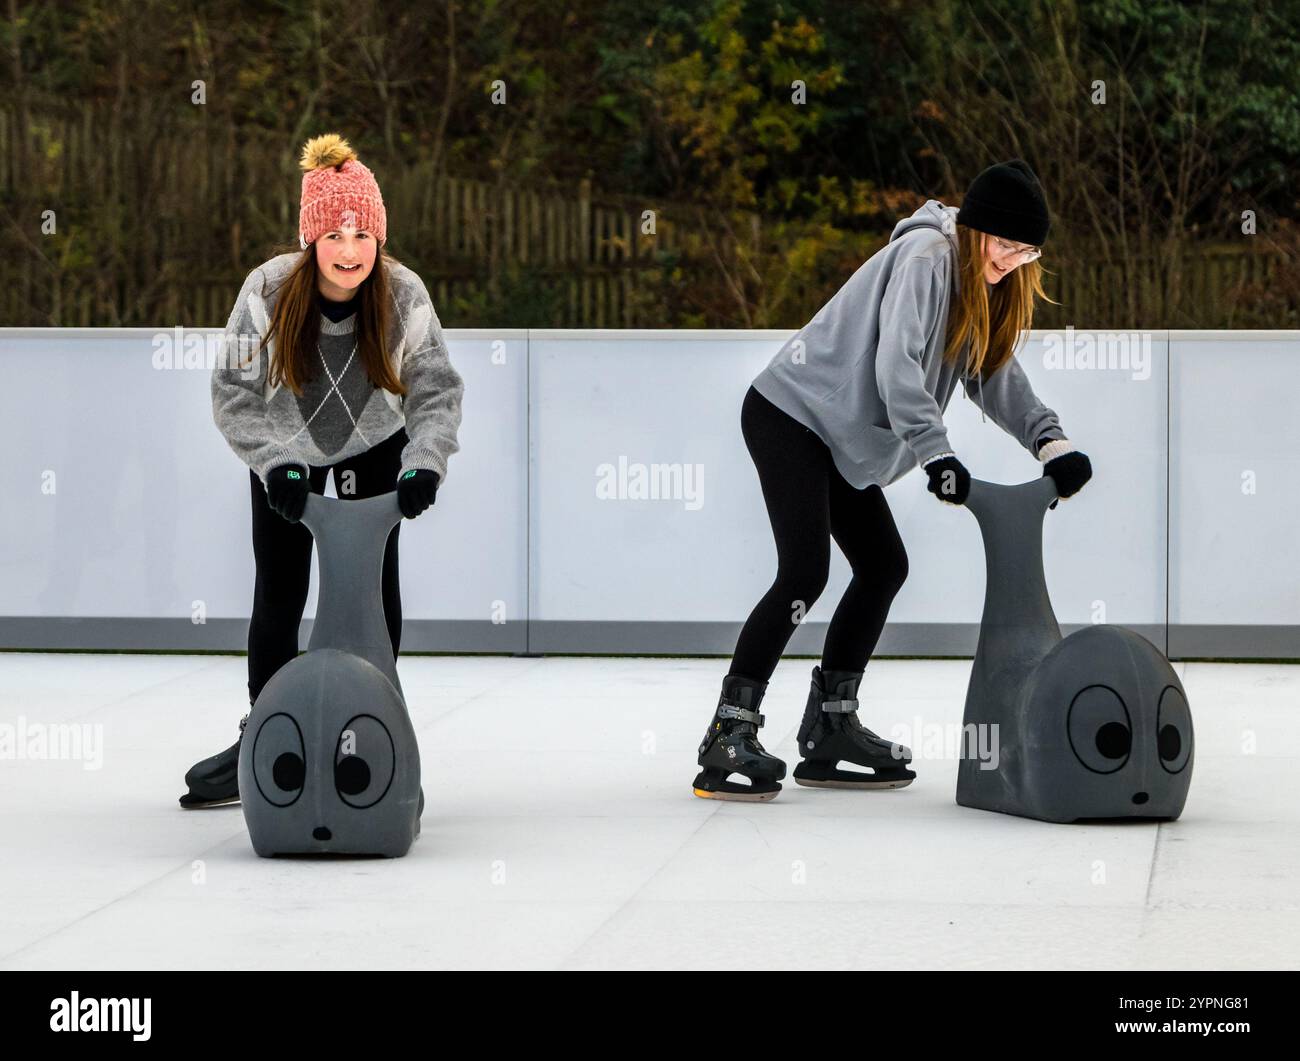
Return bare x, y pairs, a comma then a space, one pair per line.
184, 210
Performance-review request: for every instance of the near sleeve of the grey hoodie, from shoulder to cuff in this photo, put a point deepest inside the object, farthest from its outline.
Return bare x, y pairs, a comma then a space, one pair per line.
909, 313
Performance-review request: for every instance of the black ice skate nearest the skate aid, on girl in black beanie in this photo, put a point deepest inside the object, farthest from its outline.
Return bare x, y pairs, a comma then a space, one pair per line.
831, 733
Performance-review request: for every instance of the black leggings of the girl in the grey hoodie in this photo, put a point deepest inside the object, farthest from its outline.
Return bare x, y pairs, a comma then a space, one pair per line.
811, 503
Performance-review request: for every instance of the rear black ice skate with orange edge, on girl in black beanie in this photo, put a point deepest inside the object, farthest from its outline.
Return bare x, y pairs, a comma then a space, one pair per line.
731, 747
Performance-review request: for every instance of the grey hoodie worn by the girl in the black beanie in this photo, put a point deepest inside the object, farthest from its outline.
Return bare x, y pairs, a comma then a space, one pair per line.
868, 375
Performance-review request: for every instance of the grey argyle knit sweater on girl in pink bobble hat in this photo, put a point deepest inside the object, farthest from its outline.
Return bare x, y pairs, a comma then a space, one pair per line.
341, 413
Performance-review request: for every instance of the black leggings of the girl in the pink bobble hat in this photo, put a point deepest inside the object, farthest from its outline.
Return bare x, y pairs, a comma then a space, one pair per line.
284, 556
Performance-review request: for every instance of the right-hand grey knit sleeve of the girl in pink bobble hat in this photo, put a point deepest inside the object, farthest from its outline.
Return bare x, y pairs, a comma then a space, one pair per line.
435, 391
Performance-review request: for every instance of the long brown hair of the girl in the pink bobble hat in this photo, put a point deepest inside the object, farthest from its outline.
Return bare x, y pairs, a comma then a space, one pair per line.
296, 326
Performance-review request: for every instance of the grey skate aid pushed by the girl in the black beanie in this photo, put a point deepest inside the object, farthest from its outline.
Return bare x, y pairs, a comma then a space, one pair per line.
1094, 726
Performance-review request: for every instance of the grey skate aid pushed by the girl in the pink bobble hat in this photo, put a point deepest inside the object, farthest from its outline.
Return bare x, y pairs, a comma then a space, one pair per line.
330, 763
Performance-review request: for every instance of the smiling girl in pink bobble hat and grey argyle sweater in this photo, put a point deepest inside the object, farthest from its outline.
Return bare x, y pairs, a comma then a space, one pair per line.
335, 360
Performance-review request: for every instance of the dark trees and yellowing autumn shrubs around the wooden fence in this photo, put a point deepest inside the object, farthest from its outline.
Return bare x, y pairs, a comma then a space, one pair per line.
684, 103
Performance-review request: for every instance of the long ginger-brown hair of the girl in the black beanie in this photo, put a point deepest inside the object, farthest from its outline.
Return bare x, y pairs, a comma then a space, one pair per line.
991, 321
